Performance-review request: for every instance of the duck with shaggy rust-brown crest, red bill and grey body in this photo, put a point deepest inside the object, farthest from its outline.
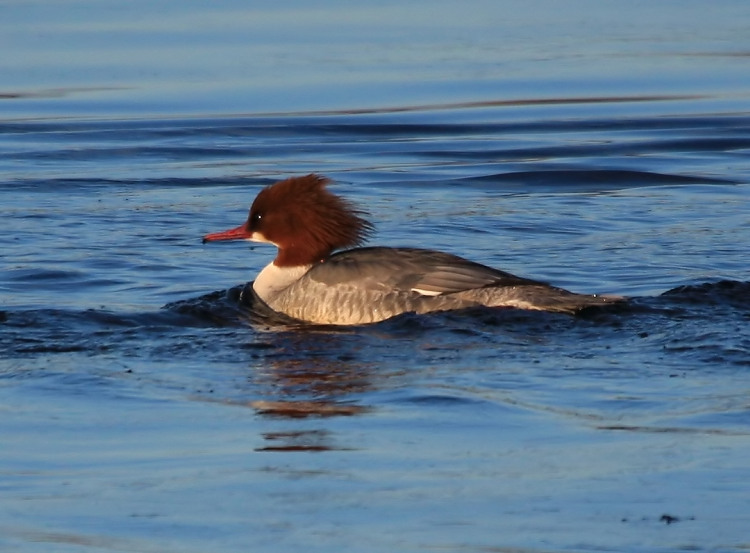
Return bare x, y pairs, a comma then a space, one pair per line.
308, 282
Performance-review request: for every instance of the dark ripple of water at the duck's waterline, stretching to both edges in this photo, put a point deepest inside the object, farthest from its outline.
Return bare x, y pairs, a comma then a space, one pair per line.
239, 306
